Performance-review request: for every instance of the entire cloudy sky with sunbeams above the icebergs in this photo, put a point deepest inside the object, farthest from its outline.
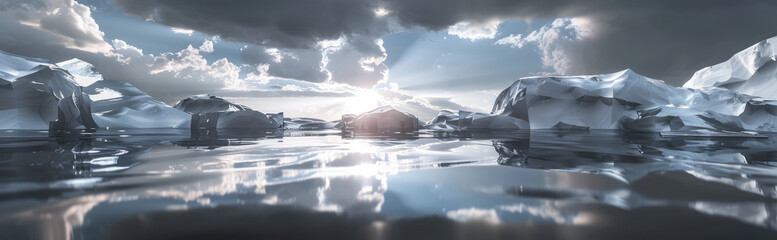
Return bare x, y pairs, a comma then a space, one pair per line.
325, 58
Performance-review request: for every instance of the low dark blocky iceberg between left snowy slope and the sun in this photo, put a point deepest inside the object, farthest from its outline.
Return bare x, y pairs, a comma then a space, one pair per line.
210, 112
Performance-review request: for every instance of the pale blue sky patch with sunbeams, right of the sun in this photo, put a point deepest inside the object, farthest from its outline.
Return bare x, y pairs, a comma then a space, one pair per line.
428, 62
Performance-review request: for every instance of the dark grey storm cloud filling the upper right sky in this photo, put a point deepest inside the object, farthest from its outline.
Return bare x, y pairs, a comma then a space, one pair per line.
663, 39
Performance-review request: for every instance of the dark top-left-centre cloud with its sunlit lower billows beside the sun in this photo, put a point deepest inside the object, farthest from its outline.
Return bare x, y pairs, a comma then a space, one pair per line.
286, 36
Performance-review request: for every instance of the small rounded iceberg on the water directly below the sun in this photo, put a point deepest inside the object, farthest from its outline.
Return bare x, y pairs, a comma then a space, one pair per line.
381, 120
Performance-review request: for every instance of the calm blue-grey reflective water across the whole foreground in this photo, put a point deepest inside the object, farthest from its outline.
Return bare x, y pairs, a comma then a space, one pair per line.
167, 184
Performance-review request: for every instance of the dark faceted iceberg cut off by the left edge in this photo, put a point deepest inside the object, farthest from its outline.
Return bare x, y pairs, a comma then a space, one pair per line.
37, 94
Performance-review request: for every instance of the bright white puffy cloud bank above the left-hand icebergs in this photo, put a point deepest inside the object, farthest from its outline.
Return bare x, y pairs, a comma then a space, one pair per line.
169, 76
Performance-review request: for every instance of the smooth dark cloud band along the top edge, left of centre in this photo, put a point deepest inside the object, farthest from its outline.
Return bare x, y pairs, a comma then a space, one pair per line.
289, 24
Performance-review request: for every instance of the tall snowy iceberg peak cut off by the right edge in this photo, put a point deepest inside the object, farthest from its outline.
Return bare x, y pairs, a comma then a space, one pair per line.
752, 71
